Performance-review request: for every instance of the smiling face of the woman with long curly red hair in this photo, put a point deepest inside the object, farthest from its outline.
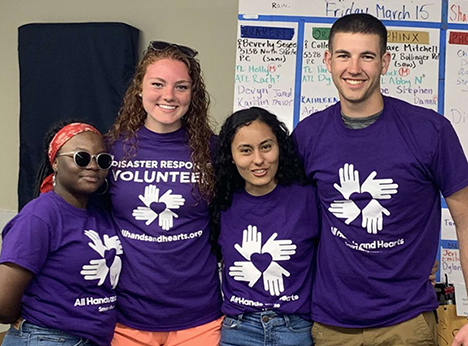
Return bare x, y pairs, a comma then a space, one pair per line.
166, 95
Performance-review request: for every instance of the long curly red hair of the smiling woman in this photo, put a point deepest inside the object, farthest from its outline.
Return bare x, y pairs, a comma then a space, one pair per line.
132, 116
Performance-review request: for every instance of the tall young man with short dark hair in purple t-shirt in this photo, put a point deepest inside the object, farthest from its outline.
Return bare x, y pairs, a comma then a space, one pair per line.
380, 165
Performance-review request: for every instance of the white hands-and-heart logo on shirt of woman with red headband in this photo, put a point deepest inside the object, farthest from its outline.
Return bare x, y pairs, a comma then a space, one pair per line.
109, 263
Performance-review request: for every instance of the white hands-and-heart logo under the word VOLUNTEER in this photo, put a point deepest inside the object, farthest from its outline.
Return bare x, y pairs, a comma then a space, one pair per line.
158, 206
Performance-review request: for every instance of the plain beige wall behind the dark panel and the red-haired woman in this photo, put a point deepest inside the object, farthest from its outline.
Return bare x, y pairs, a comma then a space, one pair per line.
209, 26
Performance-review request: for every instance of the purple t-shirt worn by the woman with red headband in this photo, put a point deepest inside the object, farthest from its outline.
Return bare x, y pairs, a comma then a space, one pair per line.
75, 256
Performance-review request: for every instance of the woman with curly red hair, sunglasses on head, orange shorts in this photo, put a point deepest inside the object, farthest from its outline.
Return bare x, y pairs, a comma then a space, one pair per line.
160, 187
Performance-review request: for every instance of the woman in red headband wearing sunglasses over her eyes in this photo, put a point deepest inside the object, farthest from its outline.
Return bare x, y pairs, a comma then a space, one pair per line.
60, 259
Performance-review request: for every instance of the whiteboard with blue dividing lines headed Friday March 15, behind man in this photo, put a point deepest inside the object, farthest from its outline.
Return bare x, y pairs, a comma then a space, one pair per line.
281, 45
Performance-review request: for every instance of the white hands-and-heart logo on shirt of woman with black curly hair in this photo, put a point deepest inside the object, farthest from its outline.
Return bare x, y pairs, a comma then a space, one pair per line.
262, 260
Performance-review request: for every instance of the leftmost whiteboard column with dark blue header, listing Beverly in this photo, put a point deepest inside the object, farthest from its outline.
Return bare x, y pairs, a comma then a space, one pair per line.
265, 69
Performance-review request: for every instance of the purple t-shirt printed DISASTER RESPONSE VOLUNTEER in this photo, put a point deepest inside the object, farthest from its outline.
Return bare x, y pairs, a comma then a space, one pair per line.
170, 279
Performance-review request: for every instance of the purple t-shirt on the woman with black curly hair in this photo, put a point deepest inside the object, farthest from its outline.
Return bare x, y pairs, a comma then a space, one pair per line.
268, 245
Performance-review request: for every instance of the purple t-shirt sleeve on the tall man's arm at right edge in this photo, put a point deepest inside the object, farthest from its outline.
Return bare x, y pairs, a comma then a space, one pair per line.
450, 165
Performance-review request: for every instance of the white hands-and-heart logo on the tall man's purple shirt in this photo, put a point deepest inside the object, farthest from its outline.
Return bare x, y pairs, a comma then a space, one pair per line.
373, 213
